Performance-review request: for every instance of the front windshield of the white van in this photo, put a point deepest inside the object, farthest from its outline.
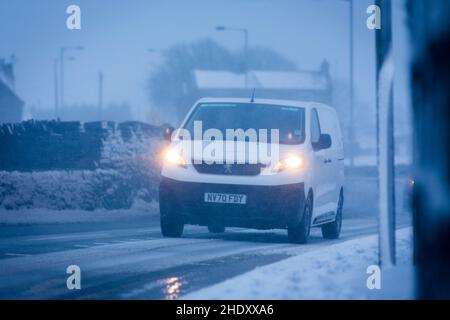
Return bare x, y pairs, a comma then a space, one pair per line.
290, 121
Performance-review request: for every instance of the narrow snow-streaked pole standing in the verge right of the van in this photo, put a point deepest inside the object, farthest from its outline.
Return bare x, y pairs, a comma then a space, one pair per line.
385, 136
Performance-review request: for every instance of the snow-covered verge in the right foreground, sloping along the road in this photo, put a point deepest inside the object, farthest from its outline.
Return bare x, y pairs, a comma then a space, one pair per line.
336, 271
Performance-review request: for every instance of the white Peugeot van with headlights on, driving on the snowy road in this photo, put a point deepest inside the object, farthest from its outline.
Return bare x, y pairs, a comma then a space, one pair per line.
300, 187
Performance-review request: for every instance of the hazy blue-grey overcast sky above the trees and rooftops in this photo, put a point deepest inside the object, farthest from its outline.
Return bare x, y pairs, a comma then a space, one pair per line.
117, 35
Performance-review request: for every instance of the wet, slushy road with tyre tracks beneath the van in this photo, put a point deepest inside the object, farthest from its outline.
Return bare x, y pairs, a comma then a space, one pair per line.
129, 259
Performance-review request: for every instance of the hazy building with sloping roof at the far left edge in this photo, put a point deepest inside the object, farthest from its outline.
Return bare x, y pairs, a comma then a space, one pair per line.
11, 106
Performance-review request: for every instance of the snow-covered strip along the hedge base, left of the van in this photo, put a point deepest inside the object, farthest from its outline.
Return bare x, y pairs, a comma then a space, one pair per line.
42, 216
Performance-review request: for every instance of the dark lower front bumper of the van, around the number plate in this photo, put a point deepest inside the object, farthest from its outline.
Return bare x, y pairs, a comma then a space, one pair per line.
267, 207
